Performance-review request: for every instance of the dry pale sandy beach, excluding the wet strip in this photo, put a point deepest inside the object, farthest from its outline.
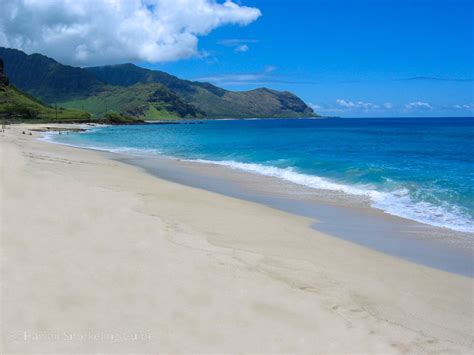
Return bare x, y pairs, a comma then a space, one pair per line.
100, 256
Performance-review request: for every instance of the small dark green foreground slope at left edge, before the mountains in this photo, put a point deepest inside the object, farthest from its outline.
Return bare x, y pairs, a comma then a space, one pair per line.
18, 106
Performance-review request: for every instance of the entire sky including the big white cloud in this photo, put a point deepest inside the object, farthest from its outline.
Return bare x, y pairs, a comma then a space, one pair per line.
344, 57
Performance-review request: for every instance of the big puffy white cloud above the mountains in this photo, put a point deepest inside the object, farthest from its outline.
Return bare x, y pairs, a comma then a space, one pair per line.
89, 32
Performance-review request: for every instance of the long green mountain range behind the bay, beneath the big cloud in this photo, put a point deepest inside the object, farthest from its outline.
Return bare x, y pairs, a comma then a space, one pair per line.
141, 93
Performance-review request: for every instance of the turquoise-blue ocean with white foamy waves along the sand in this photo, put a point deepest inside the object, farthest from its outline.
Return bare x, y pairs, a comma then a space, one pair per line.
418, 168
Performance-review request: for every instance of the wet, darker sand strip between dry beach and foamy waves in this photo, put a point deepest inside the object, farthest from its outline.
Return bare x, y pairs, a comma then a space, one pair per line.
337, 213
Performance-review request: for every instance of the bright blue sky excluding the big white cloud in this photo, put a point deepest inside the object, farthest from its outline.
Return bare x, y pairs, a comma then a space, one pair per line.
347, 57
